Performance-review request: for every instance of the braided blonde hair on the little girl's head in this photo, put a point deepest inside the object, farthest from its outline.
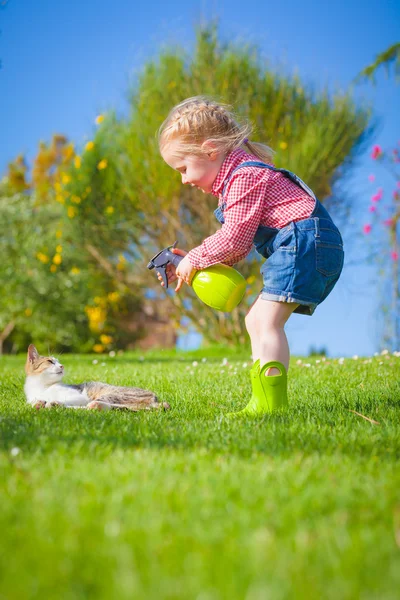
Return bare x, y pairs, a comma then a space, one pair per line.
198, 119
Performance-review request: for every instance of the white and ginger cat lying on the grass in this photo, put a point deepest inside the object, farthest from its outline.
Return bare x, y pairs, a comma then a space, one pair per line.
43, 389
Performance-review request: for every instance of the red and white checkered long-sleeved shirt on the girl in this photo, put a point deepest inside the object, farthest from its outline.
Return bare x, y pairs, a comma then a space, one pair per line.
253, 197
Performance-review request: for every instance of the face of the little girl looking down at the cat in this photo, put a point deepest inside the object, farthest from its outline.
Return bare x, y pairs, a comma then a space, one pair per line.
197, 171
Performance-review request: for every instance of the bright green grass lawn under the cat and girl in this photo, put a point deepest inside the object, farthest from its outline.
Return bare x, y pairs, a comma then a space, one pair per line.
187, 505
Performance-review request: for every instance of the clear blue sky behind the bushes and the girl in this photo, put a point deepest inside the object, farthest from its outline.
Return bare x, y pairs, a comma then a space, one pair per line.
65, 62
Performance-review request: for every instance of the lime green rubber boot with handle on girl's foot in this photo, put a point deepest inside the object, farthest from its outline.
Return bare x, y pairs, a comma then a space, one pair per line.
269, 391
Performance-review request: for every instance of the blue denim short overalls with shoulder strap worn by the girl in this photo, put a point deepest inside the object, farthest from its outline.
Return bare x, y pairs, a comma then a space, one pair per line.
304, 258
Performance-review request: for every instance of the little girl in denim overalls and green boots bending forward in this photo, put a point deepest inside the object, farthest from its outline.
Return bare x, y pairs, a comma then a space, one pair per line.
259, 205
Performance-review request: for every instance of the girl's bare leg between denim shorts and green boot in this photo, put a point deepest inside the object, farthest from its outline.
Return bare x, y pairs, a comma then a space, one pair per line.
265, 324
